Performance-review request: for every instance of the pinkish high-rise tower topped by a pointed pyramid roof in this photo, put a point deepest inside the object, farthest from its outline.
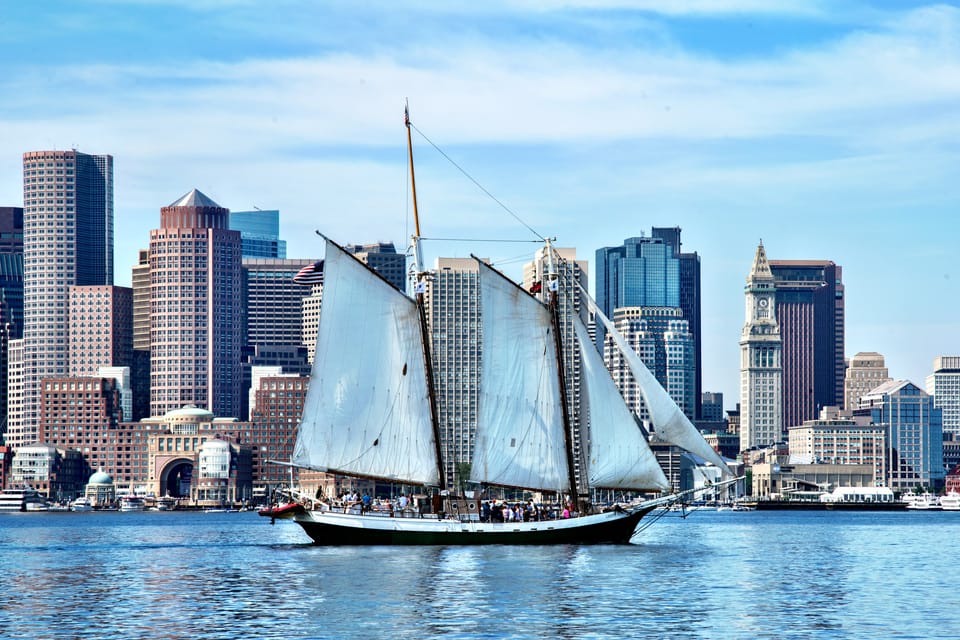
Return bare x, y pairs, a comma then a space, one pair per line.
196, 323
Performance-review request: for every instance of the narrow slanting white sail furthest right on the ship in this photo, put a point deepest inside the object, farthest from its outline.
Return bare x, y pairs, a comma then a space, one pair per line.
669, 422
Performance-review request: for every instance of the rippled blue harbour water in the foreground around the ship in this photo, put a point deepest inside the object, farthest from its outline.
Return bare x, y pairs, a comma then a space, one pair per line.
712, 575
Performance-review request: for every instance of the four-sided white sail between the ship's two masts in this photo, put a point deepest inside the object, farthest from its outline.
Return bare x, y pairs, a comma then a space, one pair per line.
519, 440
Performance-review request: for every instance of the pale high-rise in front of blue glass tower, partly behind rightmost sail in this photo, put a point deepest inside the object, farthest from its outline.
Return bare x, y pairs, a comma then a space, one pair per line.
661, 337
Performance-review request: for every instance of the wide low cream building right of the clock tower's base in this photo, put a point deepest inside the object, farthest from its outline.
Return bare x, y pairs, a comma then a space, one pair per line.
832, 439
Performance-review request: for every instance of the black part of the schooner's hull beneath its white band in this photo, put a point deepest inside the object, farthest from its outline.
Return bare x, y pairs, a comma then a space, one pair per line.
617, 529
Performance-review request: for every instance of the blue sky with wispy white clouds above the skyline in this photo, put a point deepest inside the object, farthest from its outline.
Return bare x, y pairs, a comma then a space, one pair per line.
825, 130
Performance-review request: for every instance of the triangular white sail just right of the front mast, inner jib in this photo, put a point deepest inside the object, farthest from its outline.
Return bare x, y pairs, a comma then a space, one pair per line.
619, 455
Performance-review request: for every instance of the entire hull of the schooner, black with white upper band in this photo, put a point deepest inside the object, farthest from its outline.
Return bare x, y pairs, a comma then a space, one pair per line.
331, 528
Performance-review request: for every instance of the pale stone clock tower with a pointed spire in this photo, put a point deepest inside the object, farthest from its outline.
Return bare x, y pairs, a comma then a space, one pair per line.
761, 364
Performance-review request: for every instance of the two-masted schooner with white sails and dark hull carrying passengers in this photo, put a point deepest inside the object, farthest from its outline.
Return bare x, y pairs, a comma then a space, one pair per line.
371, 412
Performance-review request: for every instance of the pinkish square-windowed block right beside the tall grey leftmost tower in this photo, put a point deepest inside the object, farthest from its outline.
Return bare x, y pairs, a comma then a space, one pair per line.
101, 328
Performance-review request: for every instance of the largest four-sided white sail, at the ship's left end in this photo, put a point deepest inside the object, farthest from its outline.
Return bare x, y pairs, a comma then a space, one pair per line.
367, 410
